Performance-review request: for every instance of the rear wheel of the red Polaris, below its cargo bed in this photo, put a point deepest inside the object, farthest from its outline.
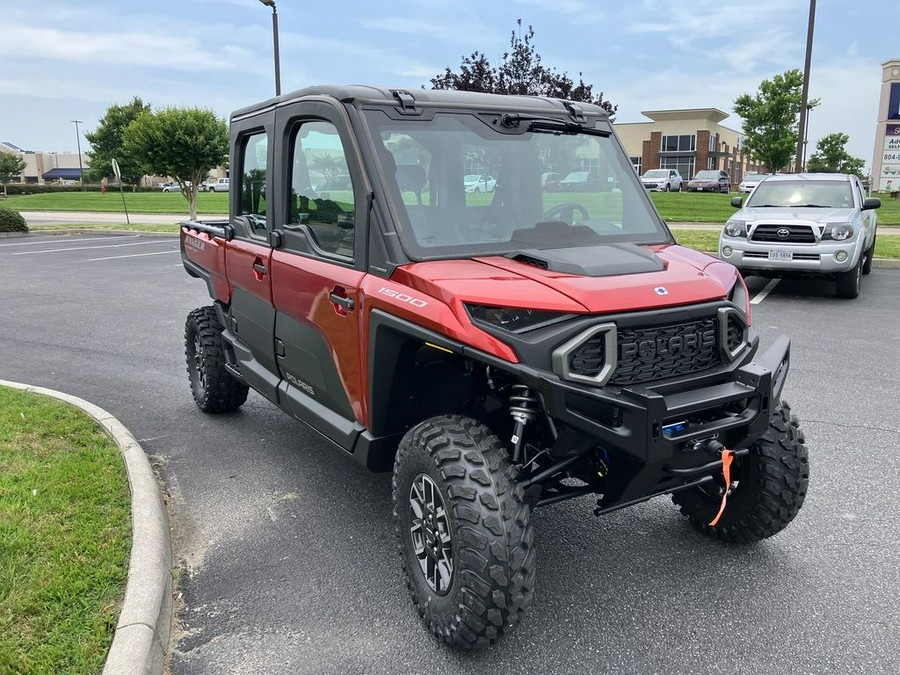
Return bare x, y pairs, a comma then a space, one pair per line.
214, 389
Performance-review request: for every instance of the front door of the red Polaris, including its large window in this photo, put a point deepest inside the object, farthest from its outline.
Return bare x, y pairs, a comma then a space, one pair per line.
318, 268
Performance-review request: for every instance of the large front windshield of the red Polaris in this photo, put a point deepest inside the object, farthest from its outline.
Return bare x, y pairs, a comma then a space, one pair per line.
510, 208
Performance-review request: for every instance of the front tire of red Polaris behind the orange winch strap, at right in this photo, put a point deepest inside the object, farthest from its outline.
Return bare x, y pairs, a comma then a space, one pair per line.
772, 483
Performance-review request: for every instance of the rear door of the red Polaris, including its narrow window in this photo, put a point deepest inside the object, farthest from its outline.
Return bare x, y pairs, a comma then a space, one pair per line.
248, 257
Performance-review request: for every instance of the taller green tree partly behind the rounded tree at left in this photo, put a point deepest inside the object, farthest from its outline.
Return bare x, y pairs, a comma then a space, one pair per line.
106, 143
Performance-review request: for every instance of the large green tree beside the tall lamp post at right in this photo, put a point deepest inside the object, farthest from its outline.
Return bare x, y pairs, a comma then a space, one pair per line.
771, 118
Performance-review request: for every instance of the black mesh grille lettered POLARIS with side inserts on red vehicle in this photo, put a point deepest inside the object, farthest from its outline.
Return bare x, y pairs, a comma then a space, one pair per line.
647, 354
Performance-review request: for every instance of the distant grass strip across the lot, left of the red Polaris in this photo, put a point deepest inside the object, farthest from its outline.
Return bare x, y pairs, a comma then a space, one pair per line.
111, 202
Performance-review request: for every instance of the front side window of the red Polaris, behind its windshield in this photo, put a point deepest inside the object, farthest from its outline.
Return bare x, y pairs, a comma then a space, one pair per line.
321, 196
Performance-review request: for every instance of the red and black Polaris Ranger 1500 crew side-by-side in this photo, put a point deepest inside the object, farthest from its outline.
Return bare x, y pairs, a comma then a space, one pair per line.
497, 350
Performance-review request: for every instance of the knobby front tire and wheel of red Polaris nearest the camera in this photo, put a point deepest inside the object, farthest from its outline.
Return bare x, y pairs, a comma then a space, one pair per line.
464, 531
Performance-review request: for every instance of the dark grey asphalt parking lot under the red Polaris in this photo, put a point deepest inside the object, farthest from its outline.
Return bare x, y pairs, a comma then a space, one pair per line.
288, 547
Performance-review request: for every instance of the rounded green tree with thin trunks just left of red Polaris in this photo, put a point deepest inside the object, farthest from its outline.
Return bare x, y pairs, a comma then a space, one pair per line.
185, 143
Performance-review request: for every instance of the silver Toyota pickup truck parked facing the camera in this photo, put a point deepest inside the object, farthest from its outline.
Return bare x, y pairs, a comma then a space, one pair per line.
814, 224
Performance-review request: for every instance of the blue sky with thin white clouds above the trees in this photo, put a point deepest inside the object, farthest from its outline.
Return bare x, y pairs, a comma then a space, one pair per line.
64, 60
